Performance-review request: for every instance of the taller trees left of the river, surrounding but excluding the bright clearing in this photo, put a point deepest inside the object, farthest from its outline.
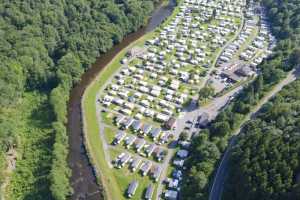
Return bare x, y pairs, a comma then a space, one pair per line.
45, 46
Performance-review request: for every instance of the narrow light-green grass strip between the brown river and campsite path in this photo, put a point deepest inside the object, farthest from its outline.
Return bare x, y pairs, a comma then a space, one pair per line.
90, 123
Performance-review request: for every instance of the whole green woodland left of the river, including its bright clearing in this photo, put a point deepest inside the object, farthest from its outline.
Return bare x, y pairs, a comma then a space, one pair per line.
45, 46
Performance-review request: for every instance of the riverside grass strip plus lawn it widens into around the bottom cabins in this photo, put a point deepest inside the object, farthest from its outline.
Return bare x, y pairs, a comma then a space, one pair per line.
115, 182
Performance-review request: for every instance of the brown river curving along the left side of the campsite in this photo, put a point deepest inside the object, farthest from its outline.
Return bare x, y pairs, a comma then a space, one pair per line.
83, 180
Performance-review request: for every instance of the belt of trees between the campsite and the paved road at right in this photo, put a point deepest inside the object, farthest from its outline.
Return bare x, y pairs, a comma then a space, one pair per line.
286, 56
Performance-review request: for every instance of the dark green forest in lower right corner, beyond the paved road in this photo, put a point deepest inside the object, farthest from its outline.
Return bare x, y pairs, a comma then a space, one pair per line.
265, 162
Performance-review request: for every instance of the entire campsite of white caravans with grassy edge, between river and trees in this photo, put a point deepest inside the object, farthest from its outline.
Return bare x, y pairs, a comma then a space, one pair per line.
143, 109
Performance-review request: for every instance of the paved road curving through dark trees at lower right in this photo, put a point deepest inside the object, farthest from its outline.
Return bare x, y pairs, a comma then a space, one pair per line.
217, 188
